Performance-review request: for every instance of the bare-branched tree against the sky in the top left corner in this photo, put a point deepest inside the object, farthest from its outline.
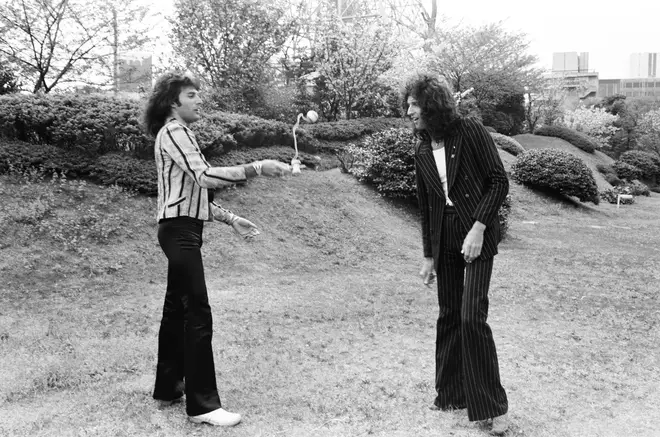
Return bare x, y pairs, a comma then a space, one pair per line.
57, 41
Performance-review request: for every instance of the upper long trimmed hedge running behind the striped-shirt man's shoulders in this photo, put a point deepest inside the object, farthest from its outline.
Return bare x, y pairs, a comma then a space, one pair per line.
100, 124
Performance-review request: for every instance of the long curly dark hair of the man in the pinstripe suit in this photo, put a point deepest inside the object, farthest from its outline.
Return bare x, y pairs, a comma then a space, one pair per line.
436, 101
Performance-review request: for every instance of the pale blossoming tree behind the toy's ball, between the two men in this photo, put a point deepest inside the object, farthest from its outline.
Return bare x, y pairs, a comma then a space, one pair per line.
350, 57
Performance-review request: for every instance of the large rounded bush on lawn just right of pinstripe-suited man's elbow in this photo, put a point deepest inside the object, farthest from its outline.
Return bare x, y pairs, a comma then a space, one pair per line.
557, 170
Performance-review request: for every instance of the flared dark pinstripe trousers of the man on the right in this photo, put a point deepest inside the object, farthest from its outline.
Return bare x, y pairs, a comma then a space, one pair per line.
467, 371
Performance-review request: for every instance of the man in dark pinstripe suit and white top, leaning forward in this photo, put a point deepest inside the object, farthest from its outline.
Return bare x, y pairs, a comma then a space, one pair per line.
461, 184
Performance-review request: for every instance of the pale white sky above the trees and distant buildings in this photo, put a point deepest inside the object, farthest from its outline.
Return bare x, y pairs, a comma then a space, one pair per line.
609, 31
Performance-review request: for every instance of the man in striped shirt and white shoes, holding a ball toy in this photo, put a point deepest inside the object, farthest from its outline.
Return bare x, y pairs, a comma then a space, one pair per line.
185, 185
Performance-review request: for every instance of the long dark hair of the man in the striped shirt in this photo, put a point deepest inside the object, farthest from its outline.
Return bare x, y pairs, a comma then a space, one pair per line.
165, 93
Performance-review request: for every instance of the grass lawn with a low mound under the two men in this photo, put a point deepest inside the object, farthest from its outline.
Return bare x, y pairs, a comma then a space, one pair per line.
321, 326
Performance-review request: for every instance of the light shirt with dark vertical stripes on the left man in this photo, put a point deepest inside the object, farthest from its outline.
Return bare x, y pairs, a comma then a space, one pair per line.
184, 175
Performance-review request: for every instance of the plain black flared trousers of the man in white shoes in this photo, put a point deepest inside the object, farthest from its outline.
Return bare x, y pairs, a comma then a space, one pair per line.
184, 339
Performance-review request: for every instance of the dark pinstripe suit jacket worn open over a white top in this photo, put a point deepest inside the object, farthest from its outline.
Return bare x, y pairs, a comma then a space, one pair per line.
476, 180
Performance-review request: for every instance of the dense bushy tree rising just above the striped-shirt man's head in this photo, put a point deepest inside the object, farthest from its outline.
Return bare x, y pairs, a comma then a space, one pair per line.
229, 43
